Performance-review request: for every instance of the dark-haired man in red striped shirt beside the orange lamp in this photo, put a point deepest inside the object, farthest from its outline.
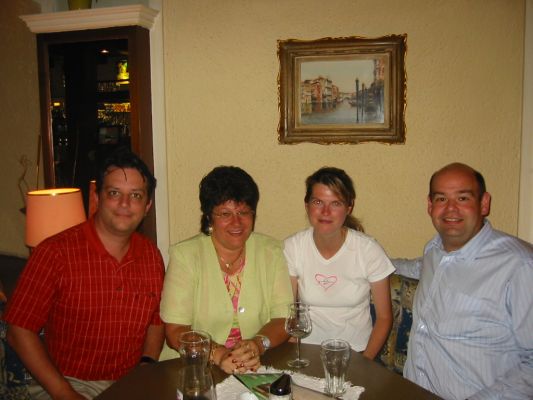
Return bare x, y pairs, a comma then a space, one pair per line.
94, 291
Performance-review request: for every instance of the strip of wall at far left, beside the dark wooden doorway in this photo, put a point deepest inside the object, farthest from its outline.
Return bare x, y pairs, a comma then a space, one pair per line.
19, 119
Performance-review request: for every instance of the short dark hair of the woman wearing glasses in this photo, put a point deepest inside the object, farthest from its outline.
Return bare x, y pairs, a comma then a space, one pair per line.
223, 184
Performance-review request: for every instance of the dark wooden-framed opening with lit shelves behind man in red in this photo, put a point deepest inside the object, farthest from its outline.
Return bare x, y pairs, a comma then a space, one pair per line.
95, 96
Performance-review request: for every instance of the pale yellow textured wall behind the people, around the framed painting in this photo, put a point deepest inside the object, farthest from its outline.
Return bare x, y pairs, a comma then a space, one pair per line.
464, 66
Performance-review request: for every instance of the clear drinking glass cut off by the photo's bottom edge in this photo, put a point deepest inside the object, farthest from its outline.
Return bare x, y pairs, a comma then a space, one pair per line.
195, 382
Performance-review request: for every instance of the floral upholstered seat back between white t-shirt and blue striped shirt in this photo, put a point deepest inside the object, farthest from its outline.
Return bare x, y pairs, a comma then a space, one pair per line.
394, 352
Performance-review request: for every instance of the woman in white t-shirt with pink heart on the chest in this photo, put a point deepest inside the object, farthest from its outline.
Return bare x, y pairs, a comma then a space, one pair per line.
334, 267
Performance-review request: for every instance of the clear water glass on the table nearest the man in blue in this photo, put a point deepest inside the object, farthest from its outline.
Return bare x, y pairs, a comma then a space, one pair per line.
335, 355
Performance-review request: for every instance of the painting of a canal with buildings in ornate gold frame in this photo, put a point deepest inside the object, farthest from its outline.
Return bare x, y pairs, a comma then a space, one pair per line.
342, 90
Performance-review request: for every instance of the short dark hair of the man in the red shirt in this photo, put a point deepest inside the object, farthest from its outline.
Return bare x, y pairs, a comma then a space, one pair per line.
124, 158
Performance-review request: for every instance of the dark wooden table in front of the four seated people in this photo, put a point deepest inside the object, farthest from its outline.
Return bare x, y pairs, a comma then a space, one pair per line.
159, 381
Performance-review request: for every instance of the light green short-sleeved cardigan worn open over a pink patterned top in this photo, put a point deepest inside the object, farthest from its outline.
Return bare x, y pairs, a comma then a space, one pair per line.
194, 292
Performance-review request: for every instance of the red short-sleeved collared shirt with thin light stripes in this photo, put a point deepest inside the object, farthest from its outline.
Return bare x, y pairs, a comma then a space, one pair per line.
95, 311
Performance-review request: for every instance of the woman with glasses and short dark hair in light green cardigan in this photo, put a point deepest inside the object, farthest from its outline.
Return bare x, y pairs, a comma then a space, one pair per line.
228, 281
